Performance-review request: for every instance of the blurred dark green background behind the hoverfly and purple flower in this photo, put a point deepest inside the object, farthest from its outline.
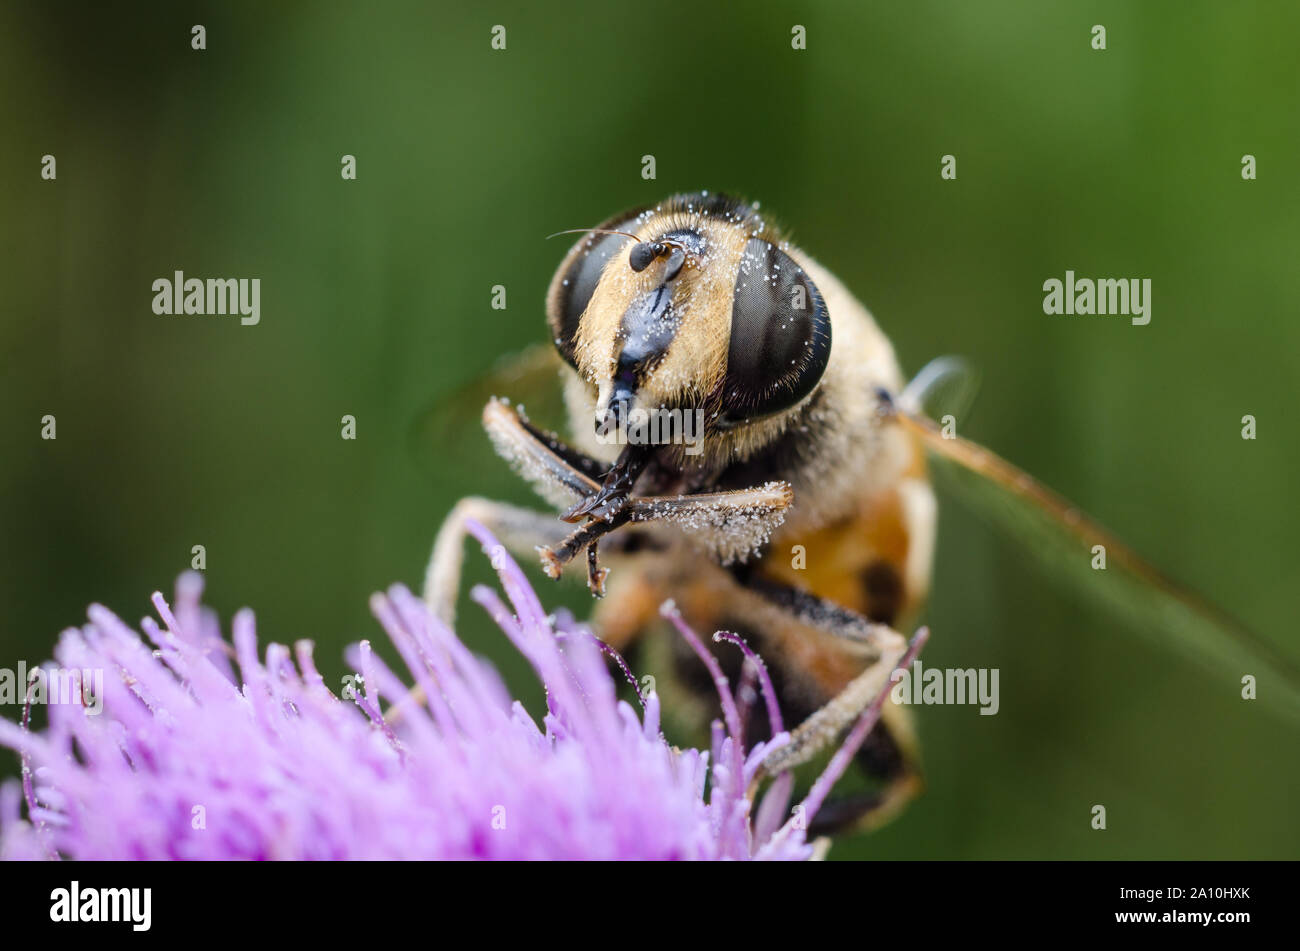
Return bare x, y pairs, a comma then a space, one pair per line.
376, 302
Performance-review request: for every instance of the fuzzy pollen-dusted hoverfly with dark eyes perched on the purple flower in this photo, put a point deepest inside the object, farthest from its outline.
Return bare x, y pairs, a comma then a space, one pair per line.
807, 438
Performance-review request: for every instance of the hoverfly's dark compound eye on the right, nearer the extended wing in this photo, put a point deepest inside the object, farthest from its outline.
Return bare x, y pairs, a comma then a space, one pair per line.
781, 336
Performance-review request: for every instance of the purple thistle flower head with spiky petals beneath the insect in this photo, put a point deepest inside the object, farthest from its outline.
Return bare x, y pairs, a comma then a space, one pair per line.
192, 759
